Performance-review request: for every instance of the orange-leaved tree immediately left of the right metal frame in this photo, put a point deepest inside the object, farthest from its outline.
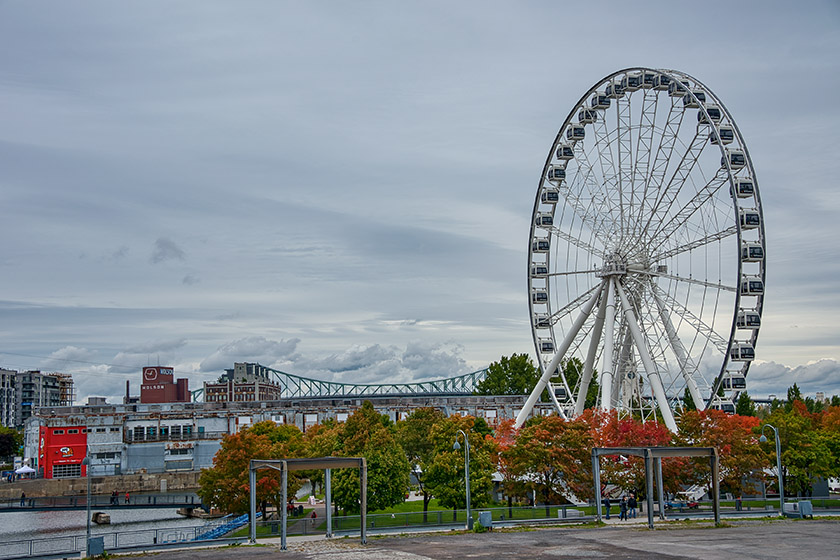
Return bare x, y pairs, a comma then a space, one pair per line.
553, 456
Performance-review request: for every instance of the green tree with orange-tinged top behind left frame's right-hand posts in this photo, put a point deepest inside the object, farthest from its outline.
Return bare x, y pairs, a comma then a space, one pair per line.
371, 435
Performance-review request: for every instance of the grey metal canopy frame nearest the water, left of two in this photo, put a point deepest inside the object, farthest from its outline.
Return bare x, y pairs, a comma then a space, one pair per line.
320, 463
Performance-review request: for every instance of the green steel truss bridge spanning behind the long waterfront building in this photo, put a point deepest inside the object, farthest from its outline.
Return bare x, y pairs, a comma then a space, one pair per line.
296, 386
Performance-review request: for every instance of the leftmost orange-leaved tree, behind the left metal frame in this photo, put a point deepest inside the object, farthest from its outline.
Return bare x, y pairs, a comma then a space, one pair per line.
226, 485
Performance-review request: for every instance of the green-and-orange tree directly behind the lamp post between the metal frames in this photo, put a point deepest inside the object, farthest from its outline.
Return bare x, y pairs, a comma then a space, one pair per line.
445, 476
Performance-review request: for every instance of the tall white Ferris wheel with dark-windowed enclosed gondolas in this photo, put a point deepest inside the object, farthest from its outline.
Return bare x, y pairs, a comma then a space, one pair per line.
647, 252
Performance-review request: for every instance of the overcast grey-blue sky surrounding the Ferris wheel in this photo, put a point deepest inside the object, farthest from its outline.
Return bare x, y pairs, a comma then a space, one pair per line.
344, 189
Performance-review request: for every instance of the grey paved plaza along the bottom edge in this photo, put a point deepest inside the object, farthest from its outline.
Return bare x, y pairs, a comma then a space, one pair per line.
755, 539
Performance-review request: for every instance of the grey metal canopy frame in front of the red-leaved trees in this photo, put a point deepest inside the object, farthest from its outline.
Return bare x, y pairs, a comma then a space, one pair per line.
655, 455
